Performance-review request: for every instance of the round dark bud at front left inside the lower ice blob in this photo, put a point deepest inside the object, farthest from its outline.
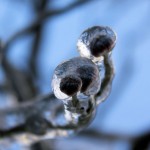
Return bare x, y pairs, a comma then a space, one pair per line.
70, 85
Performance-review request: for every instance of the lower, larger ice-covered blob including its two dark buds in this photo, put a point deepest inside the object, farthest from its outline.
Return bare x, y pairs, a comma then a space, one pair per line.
75, 76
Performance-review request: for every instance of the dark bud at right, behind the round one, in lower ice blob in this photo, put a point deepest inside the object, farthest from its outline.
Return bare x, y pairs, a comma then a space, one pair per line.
87, 75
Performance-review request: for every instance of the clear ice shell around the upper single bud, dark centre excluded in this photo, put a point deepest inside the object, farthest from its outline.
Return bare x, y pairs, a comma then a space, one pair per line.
83, 43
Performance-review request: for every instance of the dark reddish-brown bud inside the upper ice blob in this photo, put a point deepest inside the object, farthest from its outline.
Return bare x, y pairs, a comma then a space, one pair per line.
100, 44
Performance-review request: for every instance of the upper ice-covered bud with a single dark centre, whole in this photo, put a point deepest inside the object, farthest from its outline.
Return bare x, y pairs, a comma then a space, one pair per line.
96, 41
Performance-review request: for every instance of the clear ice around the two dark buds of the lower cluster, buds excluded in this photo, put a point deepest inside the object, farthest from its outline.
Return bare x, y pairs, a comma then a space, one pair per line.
70, 68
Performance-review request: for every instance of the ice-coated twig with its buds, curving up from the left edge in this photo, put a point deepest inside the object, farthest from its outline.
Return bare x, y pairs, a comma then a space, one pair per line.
76, 82
